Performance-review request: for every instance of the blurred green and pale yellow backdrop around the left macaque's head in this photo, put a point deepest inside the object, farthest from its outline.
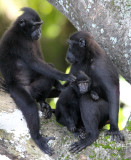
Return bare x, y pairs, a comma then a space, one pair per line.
55, 30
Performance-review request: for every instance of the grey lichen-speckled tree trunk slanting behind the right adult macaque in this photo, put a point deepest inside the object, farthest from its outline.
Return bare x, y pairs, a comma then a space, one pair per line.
110, 24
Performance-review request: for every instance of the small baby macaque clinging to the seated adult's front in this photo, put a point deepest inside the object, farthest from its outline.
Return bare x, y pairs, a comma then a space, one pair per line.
67, 108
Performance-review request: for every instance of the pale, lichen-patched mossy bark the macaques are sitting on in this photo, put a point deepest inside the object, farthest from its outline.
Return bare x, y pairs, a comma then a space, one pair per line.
16, 144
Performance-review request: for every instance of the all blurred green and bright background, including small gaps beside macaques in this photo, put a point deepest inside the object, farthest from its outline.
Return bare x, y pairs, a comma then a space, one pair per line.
55, 32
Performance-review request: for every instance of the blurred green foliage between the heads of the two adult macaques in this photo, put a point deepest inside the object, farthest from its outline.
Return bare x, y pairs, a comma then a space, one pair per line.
55, 32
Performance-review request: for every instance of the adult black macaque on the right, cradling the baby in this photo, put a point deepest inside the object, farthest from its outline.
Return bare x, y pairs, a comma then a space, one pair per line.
86, 55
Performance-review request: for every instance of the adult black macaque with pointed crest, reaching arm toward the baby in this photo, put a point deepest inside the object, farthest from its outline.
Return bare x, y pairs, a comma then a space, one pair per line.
27, 76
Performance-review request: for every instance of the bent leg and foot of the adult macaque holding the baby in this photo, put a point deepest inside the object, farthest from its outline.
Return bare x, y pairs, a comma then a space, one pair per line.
94, 115
